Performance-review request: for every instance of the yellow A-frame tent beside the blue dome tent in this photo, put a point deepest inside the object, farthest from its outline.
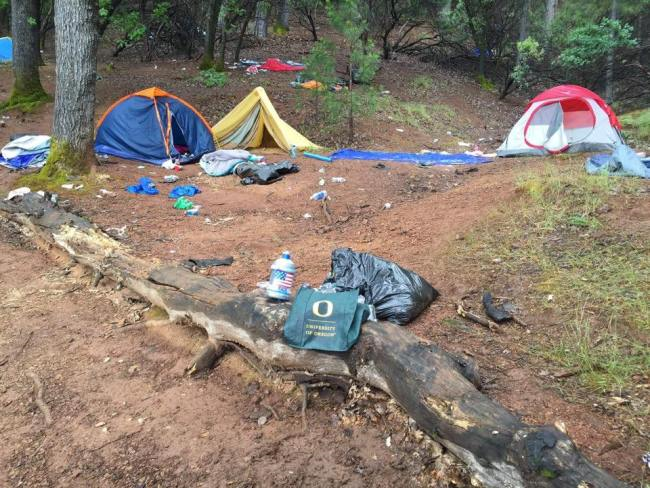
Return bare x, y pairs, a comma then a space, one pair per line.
255, 123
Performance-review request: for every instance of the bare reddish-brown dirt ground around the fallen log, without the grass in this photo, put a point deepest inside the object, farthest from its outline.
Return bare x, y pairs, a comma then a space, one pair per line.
123, 412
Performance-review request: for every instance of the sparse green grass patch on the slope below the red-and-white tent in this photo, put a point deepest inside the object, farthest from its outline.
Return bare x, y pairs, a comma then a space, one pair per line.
598, 275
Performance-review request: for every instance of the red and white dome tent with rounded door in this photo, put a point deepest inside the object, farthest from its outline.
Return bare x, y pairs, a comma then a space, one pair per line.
566, 118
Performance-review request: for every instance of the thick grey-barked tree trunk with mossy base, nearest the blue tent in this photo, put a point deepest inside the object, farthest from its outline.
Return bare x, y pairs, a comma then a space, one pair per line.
74, 104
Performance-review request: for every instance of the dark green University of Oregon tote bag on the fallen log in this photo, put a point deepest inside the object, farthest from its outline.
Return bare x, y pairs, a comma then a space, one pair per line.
325, 321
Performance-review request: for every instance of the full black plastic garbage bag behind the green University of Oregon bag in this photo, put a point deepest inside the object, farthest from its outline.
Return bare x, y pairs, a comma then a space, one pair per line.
398, 295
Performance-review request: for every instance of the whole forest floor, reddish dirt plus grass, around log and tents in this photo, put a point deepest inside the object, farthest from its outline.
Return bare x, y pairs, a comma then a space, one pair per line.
123, 412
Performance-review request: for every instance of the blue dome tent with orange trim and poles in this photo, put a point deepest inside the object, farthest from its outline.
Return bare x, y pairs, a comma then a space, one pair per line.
153, 126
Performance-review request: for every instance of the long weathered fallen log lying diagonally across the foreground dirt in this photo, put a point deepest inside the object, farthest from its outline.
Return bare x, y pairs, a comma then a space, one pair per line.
433, 387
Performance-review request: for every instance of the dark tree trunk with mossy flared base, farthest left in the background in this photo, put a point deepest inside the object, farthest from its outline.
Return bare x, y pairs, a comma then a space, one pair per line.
27, 89
